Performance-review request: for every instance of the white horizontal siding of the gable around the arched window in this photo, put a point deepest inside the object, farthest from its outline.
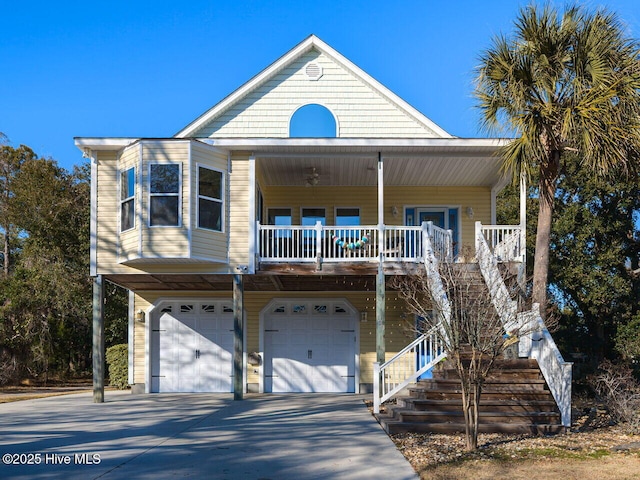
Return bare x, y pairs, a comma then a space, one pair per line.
360, 109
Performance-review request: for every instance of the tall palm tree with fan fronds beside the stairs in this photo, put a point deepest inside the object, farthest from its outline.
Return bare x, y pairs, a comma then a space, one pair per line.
565, 82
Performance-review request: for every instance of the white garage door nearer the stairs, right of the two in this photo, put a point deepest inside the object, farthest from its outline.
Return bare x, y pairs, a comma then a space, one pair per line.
310, 347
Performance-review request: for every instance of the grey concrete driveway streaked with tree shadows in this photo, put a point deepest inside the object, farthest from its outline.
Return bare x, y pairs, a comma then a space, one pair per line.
209, 436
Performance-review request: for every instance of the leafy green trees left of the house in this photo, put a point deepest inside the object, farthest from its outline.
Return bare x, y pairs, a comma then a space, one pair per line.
46, 306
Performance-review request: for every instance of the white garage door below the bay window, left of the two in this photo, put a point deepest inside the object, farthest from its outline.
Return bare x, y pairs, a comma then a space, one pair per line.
192, 347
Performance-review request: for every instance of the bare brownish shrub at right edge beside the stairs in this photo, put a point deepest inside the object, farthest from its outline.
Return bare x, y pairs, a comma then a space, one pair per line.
620, 392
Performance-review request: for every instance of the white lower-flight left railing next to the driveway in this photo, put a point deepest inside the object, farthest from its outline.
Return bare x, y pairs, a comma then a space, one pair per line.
406, 366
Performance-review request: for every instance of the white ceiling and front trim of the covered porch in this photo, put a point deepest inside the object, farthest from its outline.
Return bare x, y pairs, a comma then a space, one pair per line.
445, 162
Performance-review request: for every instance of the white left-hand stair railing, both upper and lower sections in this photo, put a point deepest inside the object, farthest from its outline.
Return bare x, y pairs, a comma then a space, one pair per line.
427, 350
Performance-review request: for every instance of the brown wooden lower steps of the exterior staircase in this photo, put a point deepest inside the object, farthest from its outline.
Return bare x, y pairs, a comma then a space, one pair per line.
515, 399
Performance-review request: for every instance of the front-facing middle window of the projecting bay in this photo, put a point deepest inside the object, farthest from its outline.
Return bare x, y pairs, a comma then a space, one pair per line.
164, 194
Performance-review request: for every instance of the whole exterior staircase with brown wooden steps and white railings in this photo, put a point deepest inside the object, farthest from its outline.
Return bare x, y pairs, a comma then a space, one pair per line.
529, 392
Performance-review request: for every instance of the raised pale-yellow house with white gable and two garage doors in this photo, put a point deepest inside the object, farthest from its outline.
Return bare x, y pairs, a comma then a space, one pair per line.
257, 242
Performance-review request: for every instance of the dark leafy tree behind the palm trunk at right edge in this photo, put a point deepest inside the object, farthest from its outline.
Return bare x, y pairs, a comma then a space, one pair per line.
595, 246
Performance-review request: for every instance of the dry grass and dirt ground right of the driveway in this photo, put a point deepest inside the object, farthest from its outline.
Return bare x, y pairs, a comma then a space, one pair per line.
605, 452
